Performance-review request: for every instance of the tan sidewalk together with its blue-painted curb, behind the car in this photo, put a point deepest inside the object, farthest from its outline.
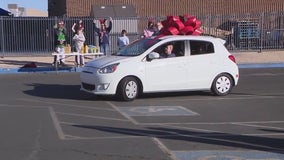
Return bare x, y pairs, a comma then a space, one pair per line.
22, 64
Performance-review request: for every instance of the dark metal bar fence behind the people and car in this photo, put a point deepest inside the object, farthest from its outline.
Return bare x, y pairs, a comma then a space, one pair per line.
35, 36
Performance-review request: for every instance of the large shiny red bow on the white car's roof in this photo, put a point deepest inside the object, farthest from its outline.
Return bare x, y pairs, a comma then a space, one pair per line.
181, 25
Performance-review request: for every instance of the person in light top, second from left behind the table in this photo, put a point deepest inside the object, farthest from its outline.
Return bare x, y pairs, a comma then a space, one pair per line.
79, 40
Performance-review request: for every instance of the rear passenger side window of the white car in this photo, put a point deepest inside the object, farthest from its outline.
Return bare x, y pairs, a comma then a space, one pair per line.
201, 47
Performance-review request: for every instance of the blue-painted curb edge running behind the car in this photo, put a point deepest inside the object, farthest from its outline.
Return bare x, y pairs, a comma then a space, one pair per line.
79, 69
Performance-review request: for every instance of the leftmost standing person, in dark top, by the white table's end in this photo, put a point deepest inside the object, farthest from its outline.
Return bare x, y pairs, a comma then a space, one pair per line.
60, 40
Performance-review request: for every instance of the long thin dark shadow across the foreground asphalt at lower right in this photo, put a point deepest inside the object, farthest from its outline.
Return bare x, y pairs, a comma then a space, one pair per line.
266, 144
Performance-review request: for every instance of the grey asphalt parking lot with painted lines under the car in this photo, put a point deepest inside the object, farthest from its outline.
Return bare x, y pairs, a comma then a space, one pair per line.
45, 116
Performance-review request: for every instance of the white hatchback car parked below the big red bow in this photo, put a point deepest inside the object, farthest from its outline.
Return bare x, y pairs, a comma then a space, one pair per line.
201, 63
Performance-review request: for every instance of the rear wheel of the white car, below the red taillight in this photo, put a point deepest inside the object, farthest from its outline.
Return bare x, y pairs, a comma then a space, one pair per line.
222, 85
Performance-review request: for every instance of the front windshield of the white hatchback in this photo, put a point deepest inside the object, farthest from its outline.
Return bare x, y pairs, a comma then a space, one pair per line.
137, 47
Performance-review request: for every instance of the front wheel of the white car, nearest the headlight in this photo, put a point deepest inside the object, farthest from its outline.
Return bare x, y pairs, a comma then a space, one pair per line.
128, 89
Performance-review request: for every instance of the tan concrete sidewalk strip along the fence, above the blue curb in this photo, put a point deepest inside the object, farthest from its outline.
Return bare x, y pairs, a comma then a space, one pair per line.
242, 58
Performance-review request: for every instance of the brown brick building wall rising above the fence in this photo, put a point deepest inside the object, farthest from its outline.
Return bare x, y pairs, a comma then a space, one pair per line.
146, 8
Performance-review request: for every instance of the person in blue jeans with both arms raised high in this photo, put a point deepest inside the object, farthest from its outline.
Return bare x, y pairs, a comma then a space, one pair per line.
103, 33
